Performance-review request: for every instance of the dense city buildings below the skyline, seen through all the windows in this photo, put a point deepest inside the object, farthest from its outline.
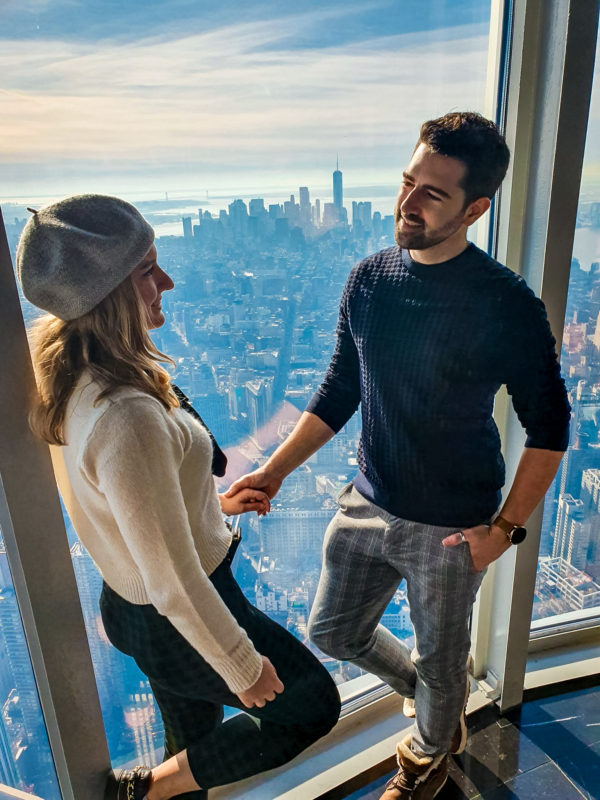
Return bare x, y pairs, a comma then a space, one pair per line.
251, 327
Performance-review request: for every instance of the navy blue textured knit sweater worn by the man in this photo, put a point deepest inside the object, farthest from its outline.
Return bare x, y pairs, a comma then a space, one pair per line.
424, 349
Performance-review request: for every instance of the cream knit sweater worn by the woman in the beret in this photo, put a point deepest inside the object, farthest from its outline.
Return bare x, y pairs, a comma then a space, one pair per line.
137, 484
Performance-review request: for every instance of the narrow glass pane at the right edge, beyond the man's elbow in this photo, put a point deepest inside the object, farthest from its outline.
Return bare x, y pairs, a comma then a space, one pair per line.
568, 581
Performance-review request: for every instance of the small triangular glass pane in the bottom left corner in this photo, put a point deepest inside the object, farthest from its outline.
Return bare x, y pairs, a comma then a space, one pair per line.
25, 757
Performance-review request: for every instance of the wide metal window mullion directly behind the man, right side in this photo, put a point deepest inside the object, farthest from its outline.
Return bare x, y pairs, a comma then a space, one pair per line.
549, 88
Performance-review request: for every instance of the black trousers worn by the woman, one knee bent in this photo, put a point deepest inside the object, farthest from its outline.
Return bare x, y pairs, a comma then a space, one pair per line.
191, 695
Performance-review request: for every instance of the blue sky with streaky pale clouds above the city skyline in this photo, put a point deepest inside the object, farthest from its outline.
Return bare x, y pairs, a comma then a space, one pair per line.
136, 98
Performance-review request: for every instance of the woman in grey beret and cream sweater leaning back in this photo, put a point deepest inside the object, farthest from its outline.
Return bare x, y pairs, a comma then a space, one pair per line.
138, 487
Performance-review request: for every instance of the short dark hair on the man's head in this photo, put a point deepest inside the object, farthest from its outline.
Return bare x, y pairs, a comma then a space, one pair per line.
474, 140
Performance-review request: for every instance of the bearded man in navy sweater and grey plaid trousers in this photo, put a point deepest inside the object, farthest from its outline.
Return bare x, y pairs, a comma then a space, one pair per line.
428, 332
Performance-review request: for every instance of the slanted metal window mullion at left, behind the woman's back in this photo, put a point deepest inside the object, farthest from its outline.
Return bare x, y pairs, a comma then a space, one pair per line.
41, 568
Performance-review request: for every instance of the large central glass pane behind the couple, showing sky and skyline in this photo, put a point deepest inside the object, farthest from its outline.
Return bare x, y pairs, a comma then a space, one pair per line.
265, 145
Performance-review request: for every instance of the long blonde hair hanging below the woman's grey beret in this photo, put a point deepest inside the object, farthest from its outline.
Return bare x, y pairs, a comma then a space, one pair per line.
111, 342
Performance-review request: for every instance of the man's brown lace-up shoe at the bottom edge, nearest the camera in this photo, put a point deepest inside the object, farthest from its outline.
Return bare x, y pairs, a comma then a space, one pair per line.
419, 777
